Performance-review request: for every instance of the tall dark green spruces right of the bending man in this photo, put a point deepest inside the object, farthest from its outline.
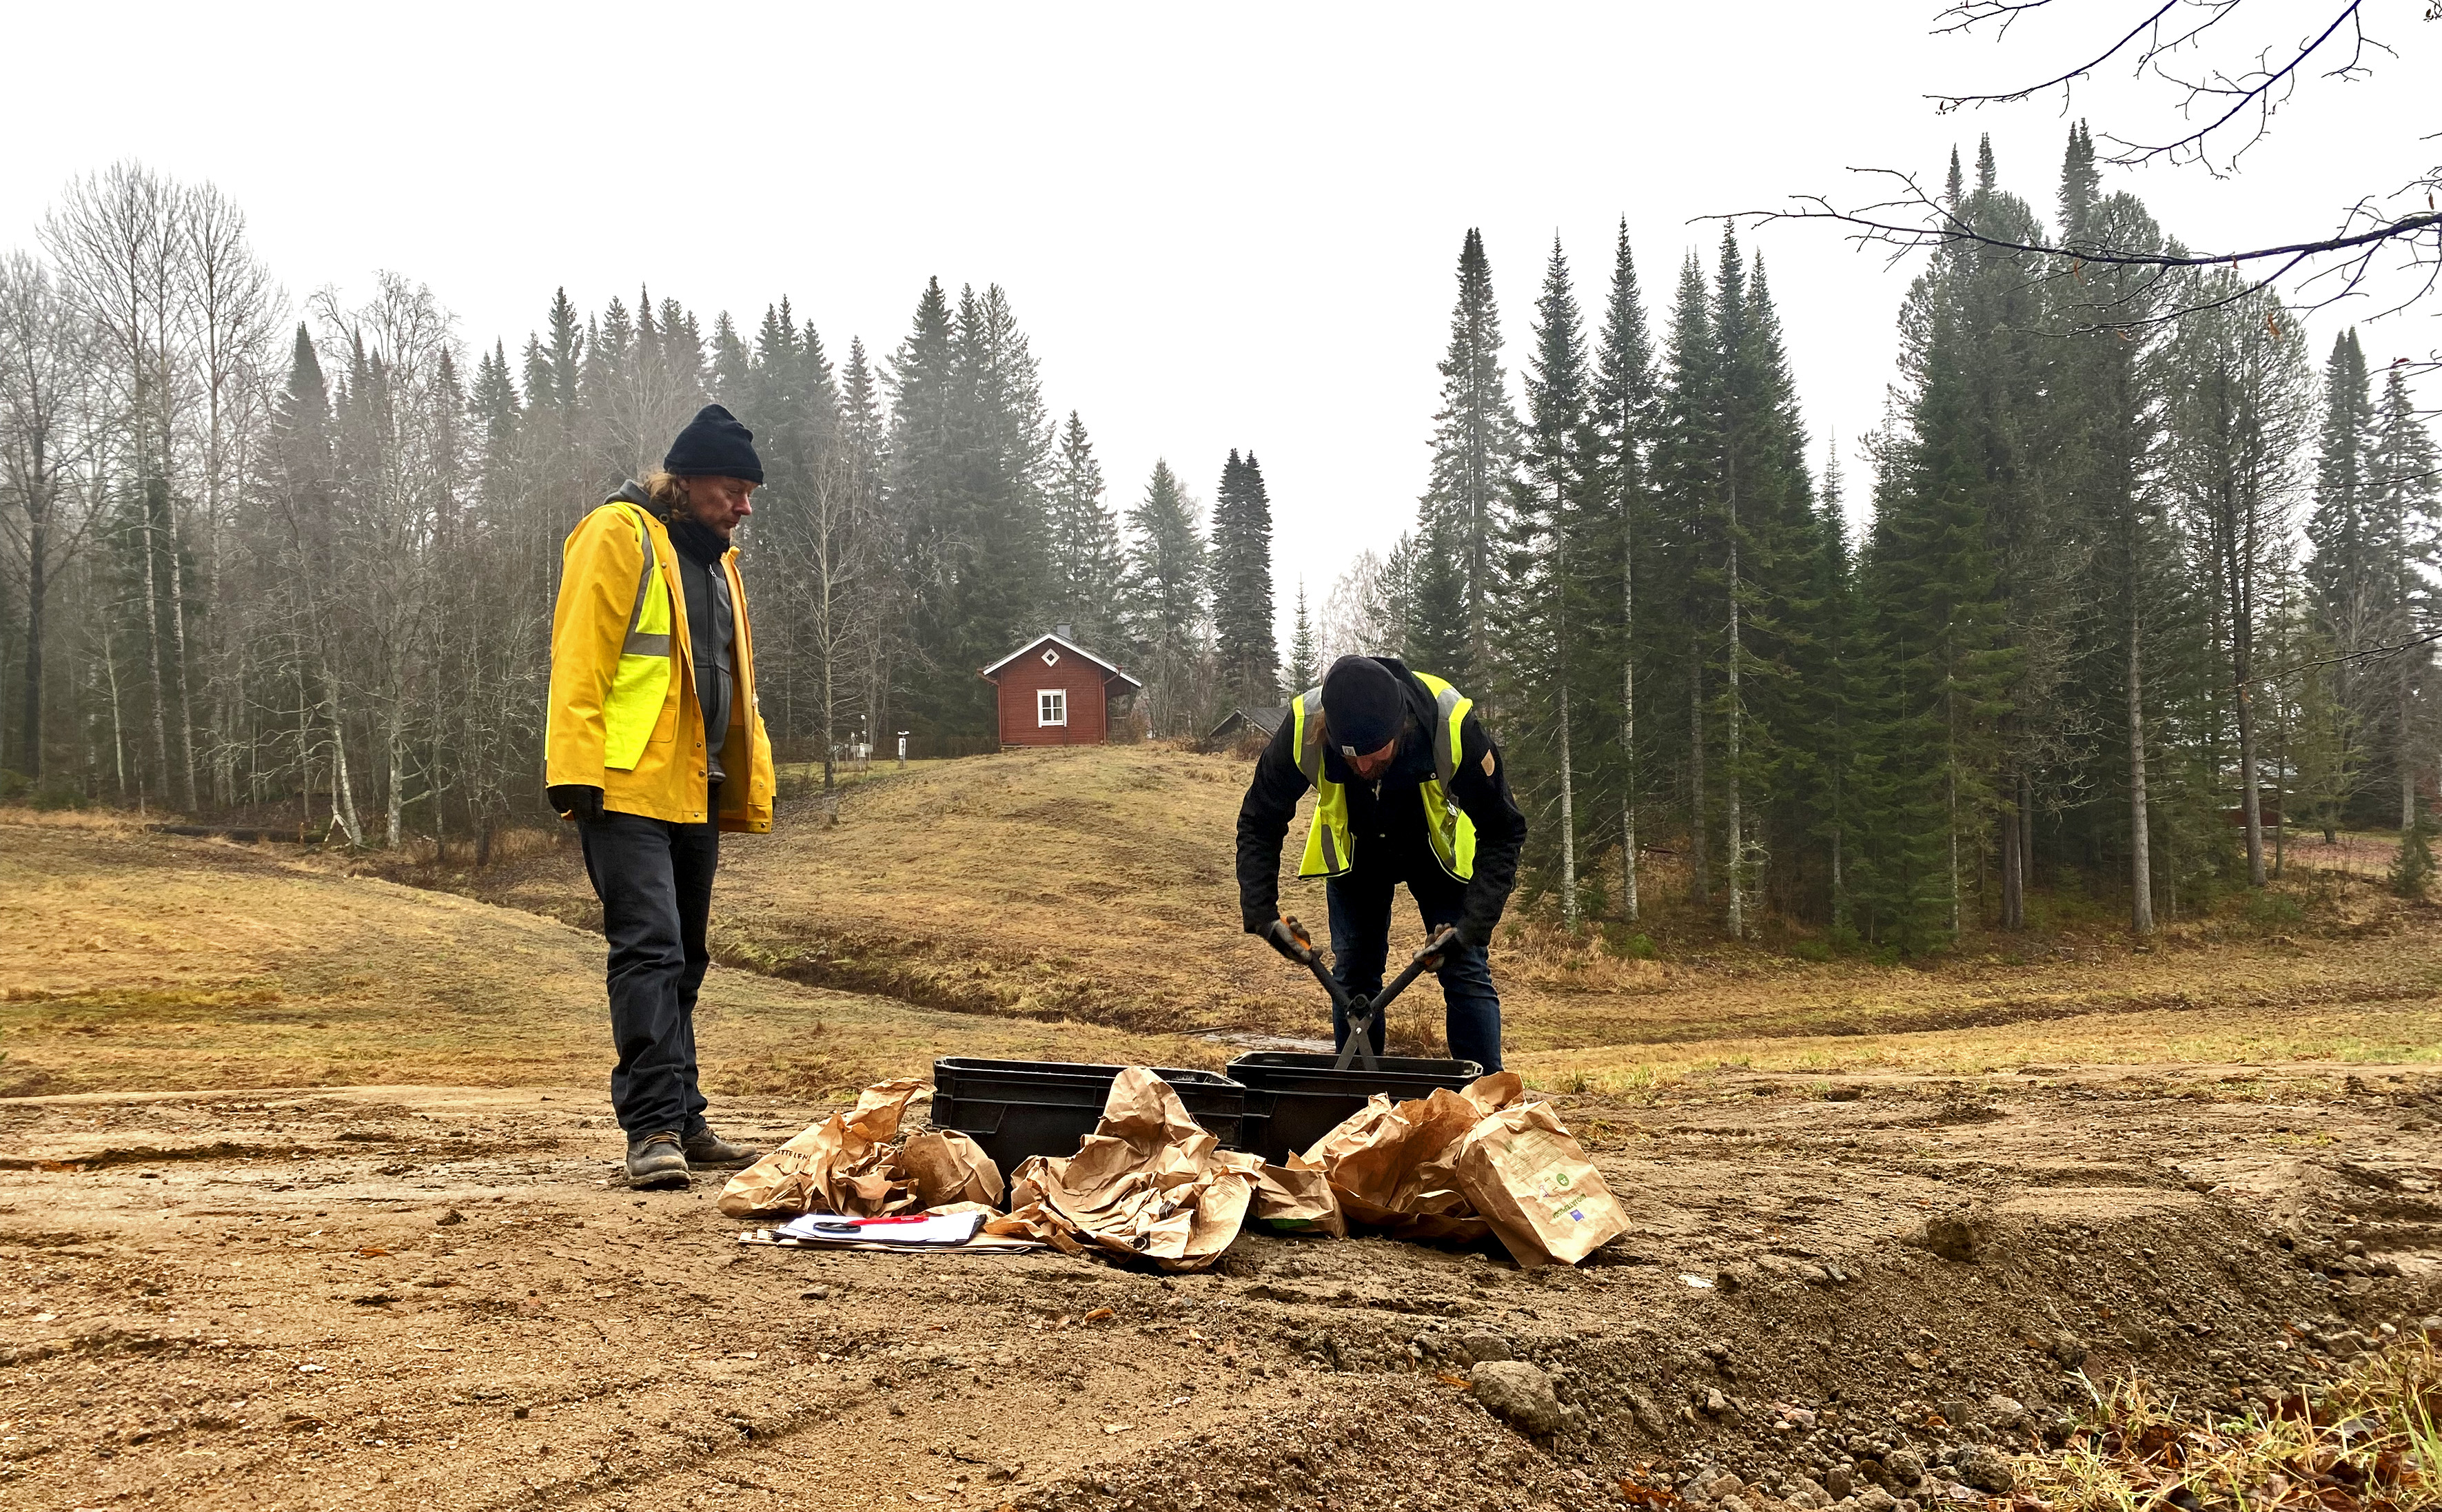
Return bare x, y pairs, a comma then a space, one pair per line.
2138, 587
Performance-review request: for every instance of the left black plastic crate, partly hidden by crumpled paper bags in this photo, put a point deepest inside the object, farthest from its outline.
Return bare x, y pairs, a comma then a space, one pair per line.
1046, 1108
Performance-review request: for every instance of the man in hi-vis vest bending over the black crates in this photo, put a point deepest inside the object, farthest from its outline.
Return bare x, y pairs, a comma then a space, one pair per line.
1408, 790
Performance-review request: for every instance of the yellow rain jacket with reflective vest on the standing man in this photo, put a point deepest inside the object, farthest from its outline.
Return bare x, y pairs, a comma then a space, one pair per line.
624, 685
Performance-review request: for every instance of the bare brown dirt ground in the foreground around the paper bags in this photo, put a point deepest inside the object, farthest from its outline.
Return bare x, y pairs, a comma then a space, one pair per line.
441, 1298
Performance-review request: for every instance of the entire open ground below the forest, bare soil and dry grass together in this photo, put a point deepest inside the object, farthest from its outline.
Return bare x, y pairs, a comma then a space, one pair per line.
309, 1193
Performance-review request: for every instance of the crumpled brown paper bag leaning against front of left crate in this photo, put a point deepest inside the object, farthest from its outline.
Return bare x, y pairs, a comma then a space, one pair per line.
1147, 1183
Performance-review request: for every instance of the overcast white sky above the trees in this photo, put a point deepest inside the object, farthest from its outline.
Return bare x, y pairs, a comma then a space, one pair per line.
1225, 228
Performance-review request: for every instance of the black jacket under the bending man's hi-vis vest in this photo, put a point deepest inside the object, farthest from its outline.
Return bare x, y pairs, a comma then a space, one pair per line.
1388, 817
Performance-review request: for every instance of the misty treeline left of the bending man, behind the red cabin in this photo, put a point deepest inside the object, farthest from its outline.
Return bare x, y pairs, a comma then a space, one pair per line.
306, 568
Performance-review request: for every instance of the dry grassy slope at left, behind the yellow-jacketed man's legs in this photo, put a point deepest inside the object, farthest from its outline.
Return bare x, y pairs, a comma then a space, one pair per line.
136, 961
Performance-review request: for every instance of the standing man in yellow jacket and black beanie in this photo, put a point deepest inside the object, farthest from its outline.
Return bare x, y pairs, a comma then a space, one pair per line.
656, 746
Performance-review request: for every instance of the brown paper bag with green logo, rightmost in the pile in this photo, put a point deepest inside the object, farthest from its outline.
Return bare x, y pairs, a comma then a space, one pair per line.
1525, 1176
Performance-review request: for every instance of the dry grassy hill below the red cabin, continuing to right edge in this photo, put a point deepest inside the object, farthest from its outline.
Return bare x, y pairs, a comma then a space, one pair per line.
1098, 888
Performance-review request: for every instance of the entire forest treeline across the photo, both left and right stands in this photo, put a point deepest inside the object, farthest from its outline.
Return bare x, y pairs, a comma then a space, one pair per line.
2143, 578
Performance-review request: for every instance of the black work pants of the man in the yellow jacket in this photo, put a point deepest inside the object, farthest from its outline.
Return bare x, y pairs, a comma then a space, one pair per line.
656, 883
